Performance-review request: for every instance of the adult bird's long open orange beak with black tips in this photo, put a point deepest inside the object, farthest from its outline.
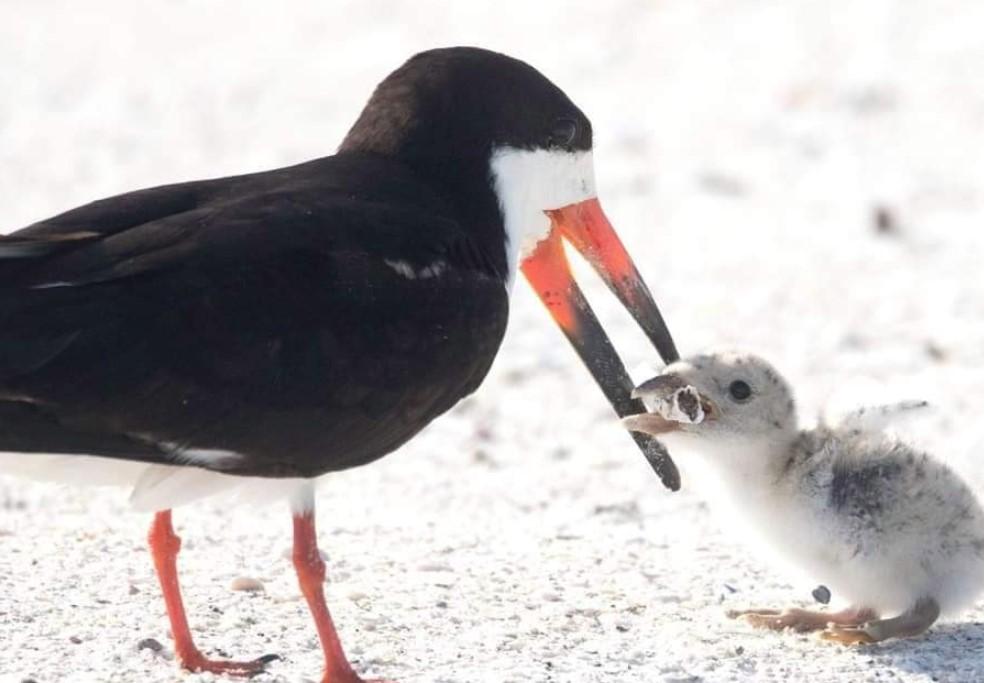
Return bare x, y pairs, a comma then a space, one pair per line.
585, 226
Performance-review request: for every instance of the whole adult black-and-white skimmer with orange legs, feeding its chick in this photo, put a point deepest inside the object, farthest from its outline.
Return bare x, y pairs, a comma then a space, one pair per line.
285, 324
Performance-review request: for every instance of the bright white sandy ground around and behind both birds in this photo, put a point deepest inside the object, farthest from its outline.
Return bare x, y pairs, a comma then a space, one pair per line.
802, 179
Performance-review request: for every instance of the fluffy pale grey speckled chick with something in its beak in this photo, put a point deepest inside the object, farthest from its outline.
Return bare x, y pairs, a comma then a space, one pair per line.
894, 532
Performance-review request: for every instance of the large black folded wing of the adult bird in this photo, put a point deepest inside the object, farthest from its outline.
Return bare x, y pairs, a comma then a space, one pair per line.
256, 314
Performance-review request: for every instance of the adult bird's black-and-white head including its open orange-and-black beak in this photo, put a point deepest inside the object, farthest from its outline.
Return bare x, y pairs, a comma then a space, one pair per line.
513, 156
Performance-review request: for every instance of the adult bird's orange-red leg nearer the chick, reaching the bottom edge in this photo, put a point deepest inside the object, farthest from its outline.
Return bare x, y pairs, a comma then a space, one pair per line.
311, 575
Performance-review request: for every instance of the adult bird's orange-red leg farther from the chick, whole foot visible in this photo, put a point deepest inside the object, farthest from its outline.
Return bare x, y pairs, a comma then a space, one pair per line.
164, 546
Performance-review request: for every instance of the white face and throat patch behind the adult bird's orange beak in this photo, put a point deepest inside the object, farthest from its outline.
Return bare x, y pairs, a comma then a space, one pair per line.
530, 182
